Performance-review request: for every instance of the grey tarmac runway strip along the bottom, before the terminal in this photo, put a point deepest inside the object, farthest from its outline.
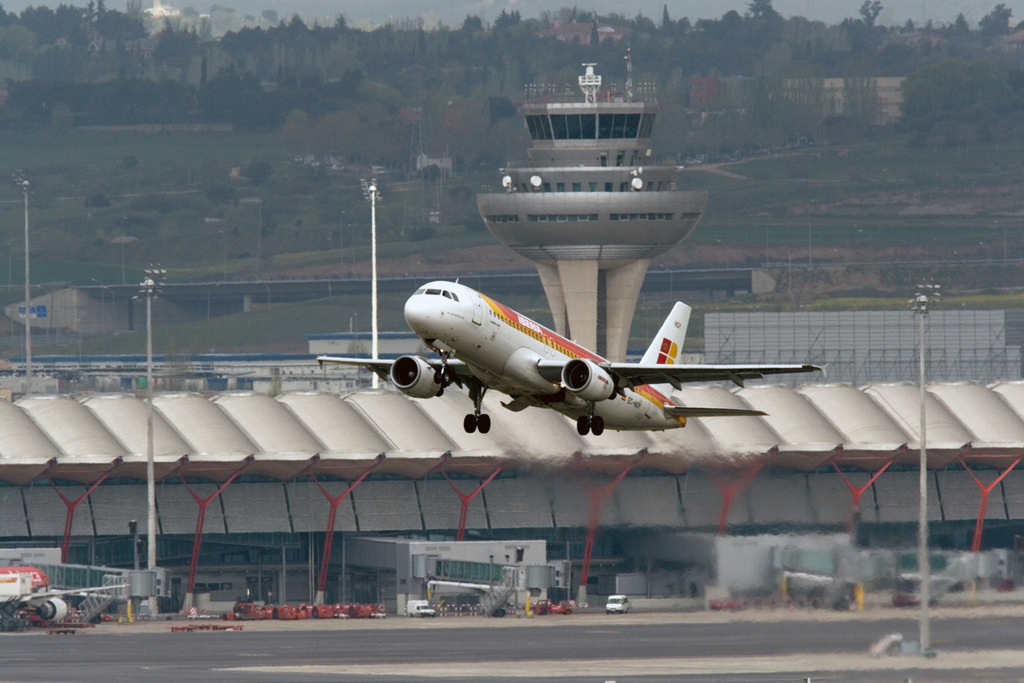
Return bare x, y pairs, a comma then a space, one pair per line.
980, 645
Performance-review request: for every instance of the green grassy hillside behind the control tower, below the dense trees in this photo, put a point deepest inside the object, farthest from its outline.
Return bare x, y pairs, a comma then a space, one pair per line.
835, 226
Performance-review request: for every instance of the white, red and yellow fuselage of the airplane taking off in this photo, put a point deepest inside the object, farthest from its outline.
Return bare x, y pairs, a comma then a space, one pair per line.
503, 350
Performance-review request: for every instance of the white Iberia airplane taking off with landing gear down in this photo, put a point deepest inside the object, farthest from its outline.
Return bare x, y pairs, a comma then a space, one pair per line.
486, 346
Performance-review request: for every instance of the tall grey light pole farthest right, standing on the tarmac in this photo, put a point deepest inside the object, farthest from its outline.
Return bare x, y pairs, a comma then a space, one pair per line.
927, 297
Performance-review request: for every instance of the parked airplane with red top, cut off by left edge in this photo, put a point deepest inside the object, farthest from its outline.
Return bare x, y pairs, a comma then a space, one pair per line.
28, 589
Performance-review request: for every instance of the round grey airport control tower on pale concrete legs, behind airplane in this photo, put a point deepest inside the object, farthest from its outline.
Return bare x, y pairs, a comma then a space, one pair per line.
590, 209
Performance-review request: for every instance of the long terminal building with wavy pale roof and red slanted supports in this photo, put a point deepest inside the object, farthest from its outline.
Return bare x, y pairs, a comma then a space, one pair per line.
276, 498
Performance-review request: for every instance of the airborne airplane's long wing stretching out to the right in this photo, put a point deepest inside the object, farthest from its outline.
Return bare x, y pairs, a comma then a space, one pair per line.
632, 375
